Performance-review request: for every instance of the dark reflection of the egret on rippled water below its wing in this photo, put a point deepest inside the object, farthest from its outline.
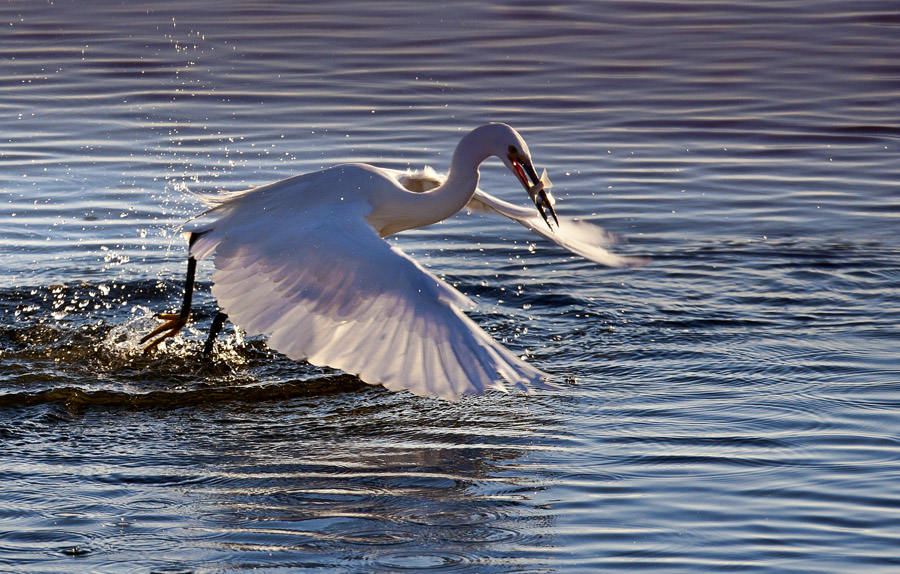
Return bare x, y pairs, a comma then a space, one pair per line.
387, 490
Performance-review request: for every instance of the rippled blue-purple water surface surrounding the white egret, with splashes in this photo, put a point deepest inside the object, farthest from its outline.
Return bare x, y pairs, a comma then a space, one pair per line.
732, 407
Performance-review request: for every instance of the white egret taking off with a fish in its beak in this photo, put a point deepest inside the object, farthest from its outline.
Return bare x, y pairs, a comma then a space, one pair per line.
304, 261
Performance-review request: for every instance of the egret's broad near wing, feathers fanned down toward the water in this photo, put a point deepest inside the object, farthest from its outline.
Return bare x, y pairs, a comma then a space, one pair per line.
329, 290
